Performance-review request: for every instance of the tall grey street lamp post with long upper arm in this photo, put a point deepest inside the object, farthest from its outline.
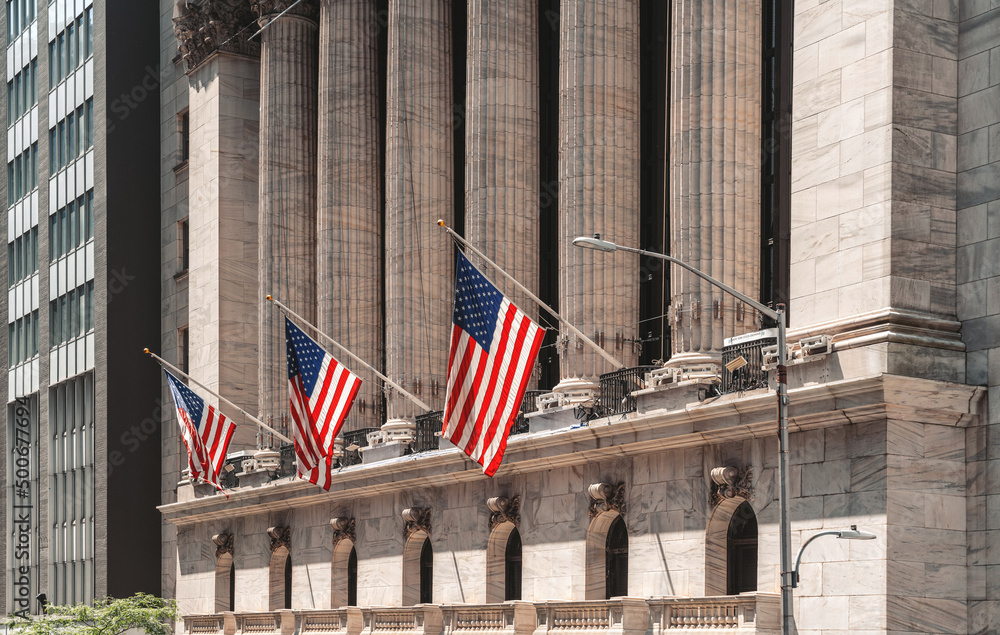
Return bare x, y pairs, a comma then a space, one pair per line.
785, 534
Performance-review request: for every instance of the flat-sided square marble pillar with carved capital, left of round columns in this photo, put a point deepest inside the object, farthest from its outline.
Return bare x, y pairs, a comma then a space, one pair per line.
223, 104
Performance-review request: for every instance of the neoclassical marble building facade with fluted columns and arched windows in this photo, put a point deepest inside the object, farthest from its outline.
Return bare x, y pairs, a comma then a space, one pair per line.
837, 158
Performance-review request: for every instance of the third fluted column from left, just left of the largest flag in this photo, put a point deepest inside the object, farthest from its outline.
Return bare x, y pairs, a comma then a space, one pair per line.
419, 258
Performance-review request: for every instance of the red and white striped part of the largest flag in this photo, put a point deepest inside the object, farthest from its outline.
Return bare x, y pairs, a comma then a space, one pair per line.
485, 389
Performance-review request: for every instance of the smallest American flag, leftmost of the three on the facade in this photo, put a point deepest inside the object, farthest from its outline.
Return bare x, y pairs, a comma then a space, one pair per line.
205, 430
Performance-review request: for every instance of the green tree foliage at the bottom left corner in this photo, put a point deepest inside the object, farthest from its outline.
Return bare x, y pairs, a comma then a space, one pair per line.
107, 616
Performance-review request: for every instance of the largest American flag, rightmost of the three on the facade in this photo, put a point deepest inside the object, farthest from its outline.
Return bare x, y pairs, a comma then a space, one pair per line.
493, 350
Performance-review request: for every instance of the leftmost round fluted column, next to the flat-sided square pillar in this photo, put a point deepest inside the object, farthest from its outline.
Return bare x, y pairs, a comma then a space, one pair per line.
287, 225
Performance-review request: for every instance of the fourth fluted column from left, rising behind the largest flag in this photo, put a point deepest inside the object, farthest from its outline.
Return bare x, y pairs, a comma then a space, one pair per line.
501, 131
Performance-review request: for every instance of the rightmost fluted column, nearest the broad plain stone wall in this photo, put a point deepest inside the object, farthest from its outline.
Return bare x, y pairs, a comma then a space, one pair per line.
714, 171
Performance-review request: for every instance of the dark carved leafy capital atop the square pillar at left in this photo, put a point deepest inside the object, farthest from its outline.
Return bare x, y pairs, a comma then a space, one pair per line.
209, 26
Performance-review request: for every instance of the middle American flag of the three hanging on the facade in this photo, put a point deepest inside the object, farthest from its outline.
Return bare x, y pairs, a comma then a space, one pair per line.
321, 391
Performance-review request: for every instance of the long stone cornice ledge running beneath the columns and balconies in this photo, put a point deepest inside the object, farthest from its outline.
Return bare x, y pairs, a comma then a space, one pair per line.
874, 398
